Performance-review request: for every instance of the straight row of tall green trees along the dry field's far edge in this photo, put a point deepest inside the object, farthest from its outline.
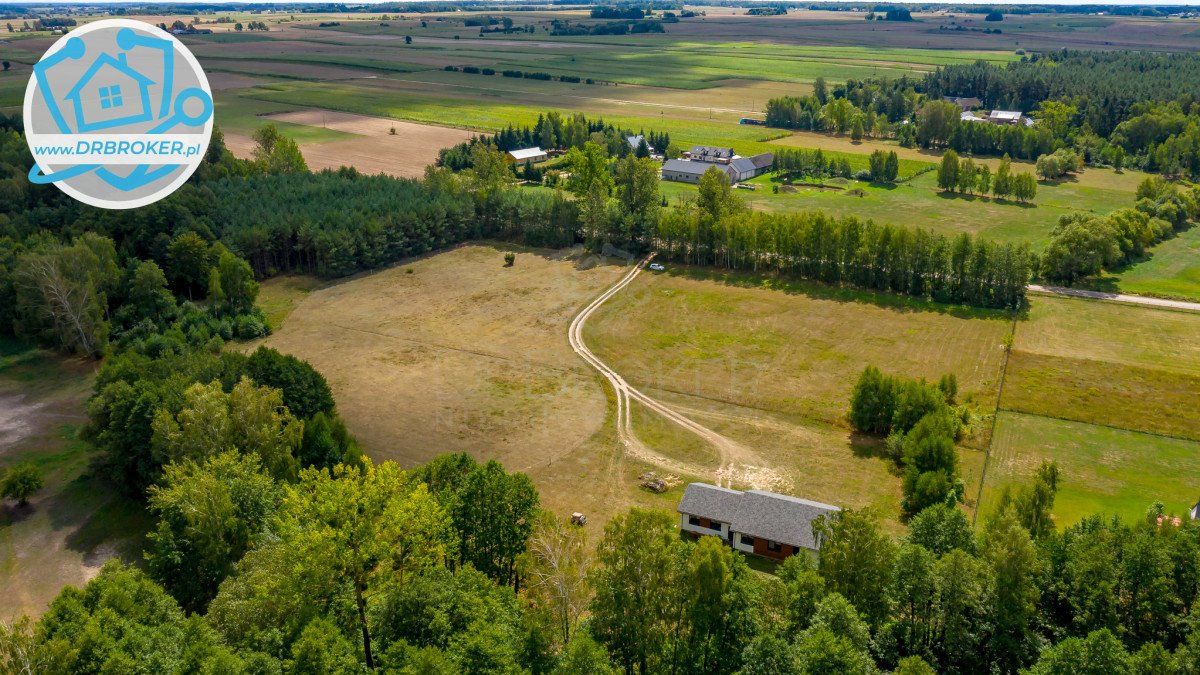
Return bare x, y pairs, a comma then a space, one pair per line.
718, 231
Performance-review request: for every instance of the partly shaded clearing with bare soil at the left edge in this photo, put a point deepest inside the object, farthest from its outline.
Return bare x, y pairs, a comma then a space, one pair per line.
75, 523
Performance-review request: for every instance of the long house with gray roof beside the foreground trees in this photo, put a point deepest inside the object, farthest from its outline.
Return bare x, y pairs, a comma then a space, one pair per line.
755, 522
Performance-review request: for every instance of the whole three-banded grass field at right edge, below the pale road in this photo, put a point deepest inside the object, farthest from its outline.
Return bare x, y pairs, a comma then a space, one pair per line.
1109, 391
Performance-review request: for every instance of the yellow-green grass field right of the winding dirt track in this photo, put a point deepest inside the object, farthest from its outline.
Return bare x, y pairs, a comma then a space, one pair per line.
771, 366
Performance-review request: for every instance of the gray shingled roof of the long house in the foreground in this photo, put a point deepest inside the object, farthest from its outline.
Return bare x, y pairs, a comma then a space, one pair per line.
770, 516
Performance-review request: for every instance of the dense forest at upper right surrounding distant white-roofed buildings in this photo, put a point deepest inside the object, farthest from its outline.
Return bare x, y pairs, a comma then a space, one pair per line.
1113, 109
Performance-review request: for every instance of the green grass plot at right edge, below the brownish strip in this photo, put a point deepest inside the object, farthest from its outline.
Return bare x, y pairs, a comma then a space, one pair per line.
1105, 470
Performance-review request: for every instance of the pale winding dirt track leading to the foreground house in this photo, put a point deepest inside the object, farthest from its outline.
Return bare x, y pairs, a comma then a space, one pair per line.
737, 463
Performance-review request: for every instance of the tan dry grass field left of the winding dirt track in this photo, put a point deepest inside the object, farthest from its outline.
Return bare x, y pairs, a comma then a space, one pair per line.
461, 354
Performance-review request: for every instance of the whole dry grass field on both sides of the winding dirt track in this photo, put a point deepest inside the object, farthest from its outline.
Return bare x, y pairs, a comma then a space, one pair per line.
465, 355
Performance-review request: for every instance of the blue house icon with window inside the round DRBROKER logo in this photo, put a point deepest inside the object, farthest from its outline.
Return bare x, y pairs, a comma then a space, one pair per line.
111, 94
